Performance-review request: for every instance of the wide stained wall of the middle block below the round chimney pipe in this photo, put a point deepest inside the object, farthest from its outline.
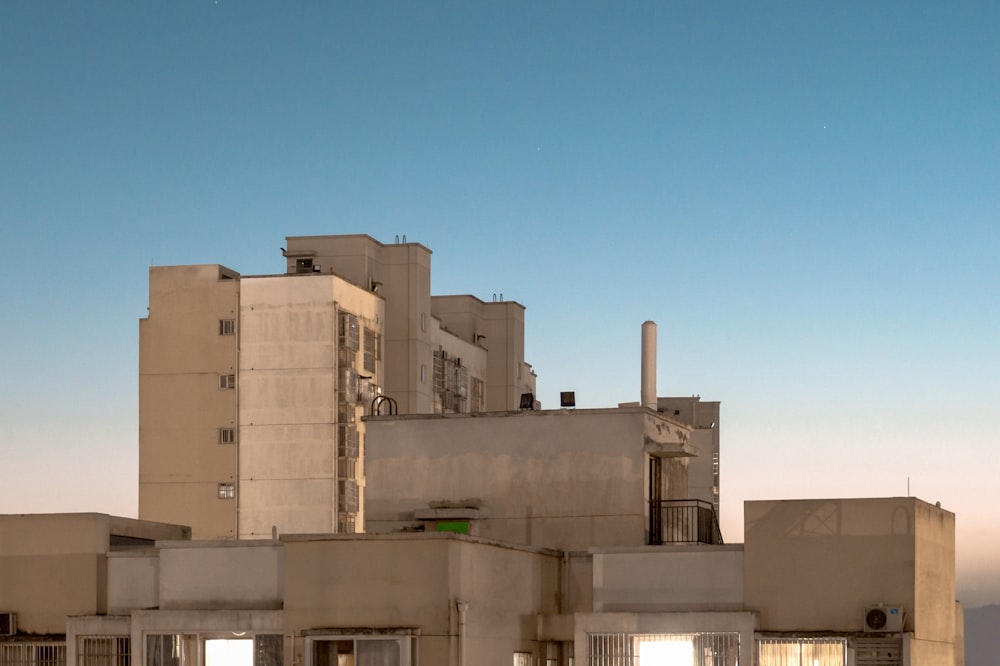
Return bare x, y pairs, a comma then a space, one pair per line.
559, 479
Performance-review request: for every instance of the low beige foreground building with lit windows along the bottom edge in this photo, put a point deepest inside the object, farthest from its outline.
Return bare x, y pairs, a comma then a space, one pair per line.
859, 582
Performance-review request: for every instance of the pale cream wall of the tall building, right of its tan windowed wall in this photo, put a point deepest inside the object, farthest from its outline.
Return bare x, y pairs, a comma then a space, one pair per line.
288, 399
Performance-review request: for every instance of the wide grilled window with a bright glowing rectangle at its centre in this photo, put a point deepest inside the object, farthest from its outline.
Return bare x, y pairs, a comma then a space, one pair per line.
709, 647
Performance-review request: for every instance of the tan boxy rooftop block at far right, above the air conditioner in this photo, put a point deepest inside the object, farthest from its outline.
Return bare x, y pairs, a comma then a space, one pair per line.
851, 553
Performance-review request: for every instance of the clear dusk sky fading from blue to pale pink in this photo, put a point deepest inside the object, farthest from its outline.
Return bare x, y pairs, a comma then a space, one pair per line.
803, 195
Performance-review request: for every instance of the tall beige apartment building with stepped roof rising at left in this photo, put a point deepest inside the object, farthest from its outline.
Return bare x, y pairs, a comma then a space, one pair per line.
252, 388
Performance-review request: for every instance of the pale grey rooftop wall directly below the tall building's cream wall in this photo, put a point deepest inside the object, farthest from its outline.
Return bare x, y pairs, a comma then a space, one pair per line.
210, 575
